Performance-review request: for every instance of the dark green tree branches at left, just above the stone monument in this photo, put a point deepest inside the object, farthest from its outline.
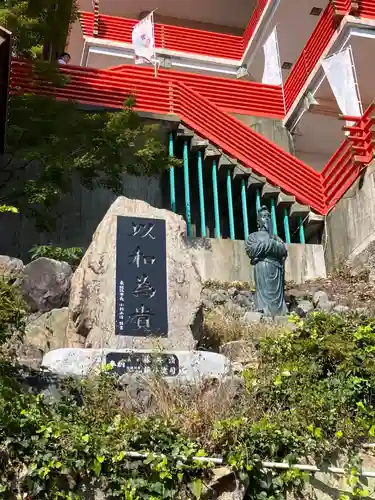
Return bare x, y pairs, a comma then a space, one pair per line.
53, 145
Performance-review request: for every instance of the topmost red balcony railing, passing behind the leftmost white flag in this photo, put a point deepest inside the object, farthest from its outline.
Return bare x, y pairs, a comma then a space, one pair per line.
167, 36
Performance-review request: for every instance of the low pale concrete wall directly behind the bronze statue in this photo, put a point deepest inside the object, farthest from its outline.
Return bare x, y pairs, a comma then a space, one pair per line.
226, 260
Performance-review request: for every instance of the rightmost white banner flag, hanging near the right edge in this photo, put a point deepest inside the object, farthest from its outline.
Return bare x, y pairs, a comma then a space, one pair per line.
340, 73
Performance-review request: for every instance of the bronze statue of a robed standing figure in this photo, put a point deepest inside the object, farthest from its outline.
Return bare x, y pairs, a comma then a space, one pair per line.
267, 253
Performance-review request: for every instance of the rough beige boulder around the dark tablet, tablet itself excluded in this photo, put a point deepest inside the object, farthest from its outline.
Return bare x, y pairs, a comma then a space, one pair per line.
92, 298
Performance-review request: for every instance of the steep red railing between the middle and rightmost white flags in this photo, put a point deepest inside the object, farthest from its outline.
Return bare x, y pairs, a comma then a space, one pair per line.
312, 52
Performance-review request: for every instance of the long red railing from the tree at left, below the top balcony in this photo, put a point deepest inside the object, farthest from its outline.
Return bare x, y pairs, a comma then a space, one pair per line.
110, 88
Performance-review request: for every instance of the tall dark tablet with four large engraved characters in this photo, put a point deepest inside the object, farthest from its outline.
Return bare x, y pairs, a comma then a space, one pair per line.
141, 278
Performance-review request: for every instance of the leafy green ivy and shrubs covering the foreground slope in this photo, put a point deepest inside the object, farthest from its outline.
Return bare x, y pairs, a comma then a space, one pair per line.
310, 398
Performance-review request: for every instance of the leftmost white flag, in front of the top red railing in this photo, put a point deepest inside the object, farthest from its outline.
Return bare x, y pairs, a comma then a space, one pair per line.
144, 41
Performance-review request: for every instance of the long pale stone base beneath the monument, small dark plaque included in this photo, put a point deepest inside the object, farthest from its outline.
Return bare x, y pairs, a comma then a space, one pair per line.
185, 366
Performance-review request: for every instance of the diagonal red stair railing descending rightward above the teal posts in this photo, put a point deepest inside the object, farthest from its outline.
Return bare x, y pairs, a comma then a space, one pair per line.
249, 147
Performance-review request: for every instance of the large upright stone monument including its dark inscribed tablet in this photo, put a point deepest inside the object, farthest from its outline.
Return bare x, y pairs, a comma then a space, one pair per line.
137, 286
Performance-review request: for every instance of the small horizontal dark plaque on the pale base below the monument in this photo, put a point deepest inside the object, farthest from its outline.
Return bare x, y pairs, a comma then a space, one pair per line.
143, 362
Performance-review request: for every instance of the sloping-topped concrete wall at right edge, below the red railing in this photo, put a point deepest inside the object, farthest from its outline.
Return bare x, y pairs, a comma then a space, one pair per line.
350, 227
